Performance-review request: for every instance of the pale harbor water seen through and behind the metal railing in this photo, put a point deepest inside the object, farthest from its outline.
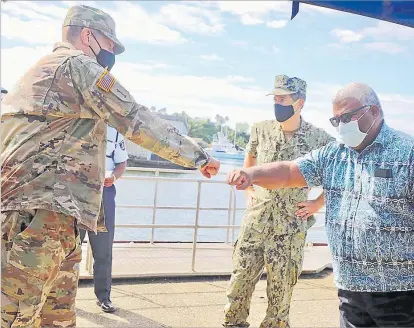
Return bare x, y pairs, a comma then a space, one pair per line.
132, 192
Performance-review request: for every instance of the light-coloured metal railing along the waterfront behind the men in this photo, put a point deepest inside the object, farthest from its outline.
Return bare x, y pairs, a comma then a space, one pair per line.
231, 209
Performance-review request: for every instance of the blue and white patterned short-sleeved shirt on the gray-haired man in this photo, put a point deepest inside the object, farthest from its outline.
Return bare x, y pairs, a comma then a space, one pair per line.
369, 198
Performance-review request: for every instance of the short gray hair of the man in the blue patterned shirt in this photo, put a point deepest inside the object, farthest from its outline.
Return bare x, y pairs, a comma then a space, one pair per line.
359, 91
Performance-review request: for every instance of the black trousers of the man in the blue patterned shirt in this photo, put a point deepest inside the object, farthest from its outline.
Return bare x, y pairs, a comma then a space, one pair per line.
362, 309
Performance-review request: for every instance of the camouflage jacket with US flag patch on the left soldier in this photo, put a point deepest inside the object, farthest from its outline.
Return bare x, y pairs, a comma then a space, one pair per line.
53, 133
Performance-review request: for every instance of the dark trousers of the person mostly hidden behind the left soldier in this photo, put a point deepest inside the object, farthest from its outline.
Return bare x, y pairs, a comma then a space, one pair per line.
101, 245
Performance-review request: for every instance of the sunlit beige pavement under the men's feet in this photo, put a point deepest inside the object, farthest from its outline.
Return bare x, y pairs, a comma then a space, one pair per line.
199, 301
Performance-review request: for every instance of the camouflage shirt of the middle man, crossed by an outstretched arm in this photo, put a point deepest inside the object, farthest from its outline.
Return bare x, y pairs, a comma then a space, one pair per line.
267, 144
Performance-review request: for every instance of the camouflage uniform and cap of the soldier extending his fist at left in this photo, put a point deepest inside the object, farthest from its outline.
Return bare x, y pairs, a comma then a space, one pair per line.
53, 131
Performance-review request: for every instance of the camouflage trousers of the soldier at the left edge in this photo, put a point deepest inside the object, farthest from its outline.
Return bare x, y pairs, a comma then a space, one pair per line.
40, 263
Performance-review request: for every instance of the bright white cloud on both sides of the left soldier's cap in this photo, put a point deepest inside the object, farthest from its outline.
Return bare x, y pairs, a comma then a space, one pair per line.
41, 24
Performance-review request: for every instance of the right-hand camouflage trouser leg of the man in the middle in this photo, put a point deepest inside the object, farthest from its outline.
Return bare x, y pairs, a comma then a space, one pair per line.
284, 259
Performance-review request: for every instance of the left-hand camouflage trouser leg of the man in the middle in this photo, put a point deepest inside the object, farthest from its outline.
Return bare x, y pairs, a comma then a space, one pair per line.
248, 264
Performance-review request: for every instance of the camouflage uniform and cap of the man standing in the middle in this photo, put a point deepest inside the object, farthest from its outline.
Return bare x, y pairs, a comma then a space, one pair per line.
271, 235
